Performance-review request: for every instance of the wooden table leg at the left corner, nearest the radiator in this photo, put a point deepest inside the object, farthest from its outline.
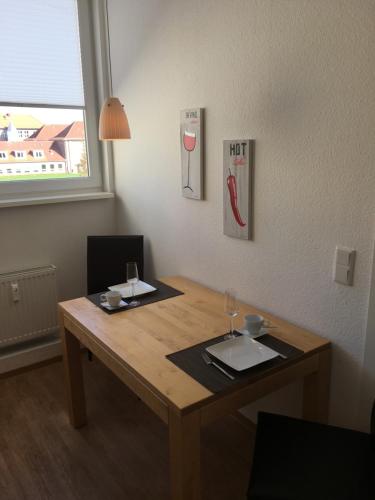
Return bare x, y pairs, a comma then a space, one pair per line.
74, 379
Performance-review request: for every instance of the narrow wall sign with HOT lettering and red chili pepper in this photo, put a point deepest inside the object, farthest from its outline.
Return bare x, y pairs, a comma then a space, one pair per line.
237, 185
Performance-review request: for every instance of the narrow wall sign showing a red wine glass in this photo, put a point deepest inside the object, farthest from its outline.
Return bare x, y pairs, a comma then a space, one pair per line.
191, 141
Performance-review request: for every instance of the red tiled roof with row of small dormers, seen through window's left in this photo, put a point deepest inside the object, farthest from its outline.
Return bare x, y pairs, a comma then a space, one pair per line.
46, 146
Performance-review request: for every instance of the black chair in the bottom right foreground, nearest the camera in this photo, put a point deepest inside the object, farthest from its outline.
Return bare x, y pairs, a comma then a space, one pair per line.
298, 460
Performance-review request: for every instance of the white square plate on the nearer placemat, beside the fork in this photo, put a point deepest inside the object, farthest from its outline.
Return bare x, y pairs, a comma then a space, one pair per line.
241, 353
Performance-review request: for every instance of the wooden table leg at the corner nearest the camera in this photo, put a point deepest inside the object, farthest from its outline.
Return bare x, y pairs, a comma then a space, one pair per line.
184, 456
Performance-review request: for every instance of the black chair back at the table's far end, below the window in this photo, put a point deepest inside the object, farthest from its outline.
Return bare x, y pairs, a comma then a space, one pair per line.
107, 257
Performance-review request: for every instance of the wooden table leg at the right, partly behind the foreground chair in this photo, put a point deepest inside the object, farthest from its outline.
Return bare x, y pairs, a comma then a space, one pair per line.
316, 390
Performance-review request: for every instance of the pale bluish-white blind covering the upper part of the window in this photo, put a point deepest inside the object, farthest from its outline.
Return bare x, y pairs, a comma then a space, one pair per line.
40, 45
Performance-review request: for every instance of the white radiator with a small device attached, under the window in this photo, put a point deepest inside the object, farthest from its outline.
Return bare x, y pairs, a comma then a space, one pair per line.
28, 305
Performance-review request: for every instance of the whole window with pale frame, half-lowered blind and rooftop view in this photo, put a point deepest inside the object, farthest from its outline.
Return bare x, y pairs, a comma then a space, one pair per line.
50, 93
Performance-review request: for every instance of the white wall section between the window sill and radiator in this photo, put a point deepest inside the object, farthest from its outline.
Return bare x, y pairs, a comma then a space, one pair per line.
54, 234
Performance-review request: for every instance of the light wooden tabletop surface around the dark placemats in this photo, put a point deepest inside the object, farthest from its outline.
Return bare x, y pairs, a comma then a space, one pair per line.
140, 338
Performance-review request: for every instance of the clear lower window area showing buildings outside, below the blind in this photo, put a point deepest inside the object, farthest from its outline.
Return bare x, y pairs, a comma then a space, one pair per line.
34, 141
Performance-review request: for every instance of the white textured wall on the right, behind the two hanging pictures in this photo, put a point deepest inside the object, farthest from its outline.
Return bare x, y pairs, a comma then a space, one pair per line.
298, 77
